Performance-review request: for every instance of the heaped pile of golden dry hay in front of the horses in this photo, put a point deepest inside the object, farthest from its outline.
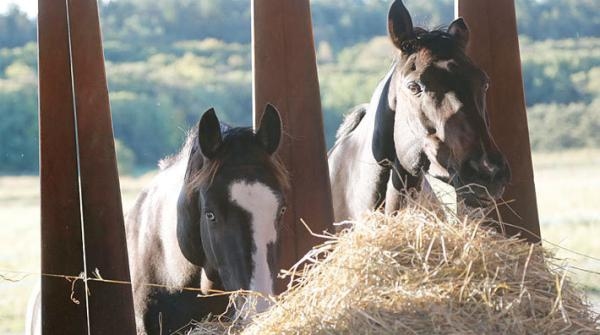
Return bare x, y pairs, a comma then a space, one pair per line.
415, 273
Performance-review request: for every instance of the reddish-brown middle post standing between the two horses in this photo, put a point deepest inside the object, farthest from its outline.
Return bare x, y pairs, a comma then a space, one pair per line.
285, 74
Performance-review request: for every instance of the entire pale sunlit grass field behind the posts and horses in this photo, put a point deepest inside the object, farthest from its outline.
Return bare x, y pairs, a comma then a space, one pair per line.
568, 200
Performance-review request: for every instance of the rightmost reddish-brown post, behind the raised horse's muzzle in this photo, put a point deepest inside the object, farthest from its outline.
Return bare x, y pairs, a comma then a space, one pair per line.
494, 46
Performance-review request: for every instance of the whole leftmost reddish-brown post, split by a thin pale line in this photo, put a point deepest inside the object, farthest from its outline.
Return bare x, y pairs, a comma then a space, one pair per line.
77, 154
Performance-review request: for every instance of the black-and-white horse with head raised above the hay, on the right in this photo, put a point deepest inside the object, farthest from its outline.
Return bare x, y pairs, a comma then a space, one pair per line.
428, 114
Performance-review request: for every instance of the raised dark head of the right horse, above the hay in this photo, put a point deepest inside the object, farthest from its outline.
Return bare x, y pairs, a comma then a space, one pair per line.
438, 95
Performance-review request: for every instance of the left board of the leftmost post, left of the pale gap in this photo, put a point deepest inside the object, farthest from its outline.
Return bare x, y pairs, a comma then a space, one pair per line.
62, 251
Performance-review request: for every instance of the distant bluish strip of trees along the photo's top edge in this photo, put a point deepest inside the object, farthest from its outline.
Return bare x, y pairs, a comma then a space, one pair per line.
157, 24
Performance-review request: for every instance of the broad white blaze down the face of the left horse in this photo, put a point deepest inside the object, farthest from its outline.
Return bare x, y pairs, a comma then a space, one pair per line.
262, 204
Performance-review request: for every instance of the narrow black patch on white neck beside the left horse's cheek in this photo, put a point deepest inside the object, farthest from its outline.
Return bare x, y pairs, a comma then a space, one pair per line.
188, 227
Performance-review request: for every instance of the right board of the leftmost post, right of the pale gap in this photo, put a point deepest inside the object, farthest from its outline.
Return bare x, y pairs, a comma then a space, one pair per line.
111, 305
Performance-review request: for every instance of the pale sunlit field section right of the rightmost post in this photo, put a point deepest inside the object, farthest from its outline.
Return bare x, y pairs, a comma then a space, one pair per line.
567, 187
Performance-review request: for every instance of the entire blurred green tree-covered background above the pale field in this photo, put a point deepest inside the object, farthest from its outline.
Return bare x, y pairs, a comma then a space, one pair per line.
168, 61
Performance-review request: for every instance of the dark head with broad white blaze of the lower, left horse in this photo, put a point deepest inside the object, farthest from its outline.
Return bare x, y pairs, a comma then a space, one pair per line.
232, 202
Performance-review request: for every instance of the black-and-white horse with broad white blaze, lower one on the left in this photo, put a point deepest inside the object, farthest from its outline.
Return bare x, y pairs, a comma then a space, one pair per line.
209, 220
